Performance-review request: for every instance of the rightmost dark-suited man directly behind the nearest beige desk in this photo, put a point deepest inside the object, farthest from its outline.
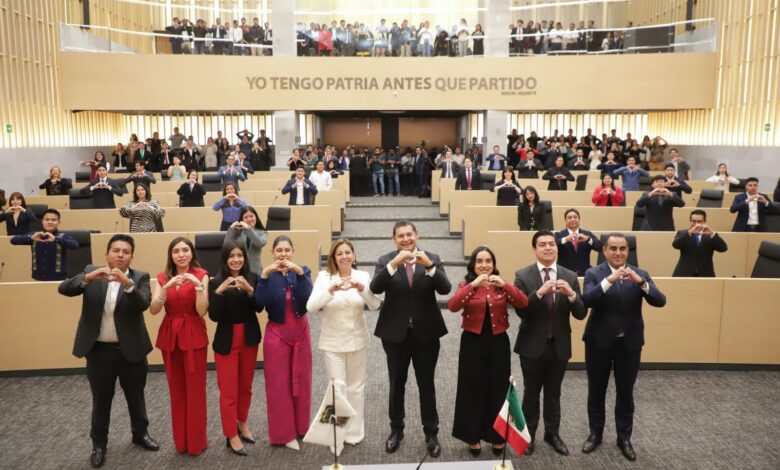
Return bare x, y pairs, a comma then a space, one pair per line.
696, 246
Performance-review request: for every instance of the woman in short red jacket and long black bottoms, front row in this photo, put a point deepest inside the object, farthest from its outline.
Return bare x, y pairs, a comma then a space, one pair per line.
484, 361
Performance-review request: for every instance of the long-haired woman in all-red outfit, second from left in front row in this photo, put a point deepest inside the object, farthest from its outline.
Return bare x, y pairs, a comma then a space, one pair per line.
183, 341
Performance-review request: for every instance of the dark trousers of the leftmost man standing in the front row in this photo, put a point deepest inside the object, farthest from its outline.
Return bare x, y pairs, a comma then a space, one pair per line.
105, 363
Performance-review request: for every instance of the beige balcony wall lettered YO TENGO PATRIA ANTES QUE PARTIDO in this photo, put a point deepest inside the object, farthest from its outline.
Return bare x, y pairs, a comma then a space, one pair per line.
87, 86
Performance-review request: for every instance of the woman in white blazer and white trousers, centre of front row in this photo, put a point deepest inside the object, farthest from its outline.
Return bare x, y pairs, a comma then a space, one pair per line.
341, 292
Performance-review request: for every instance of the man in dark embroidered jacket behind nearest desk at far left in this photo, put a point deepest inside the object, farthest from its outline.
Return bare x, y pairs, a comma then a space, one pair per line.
49, 248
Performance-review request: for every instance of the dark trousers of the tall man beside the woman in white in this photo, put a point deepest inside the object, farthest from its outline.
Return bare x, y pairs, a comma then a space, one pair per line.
423, 355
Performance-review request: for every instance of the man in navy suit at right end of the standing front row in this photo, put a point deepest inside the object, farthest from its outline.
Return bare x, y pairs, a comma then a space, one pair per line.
614, 336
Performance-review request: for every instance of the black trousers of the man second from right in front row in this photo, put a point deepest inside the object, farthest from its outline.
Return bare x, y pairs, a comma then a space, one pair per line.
543, 373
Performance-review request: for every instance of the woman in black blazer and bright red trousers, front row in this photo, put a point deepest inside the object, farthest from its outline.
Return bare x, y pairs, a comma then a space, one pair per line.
232, 305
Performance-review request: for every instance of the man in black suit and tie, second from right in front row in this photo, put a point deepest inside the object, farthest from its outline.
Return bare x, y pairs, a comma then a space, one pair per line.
544, 337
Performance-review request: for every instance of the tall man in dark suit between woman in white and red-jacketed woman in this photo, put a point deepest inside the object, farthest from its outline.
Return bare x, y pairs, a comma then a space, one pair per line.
410, 325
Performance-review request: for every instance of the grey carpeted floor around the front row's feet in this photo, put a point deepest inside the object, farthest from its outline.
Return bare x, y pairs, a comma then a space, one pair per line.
684, 420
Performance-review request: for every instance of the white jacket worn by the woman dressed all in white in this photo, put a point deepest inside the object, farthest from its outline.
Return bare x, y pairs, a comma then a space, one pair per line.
344, 326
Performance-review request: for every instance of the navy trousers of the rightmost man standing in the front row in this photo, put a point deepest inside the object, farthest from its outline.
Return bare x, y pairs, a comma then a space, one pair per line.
599, 363
